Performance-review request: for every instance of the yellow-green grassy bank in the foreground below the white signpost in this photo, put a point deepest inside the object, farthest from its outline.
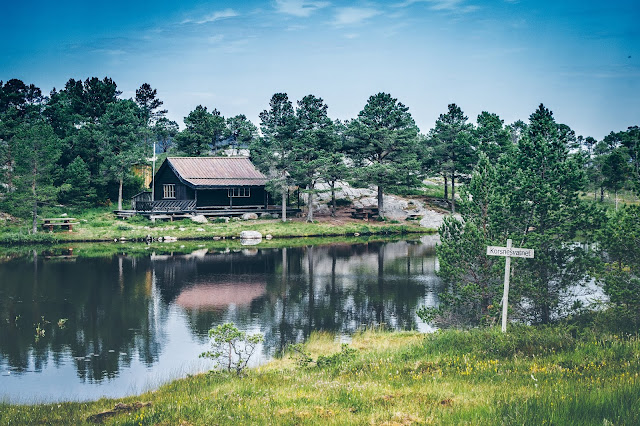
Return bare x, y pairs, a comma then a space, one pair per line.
530, 376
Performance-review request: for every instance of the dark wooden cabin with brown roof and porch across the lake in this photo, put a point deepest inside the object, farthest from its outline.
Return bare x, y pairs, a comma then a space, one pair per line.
205, 184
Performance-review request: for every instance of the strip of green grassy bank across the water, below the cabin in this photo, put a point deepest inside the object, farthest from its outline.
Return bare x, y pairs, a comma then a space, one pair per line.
101, 225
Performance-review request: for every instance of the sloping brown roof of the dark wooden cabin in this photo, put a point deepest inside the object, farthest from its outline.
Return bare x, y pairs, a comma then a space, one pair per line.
216, 171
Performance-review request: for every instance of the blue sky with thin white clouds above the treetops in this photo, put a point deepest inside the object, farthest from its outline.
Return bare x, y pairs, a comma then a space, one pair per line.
580, 58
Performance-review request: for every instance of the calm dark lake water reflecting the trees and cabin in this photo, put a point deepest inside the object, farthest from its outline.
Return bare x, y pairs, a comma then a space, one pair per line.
134, 322
